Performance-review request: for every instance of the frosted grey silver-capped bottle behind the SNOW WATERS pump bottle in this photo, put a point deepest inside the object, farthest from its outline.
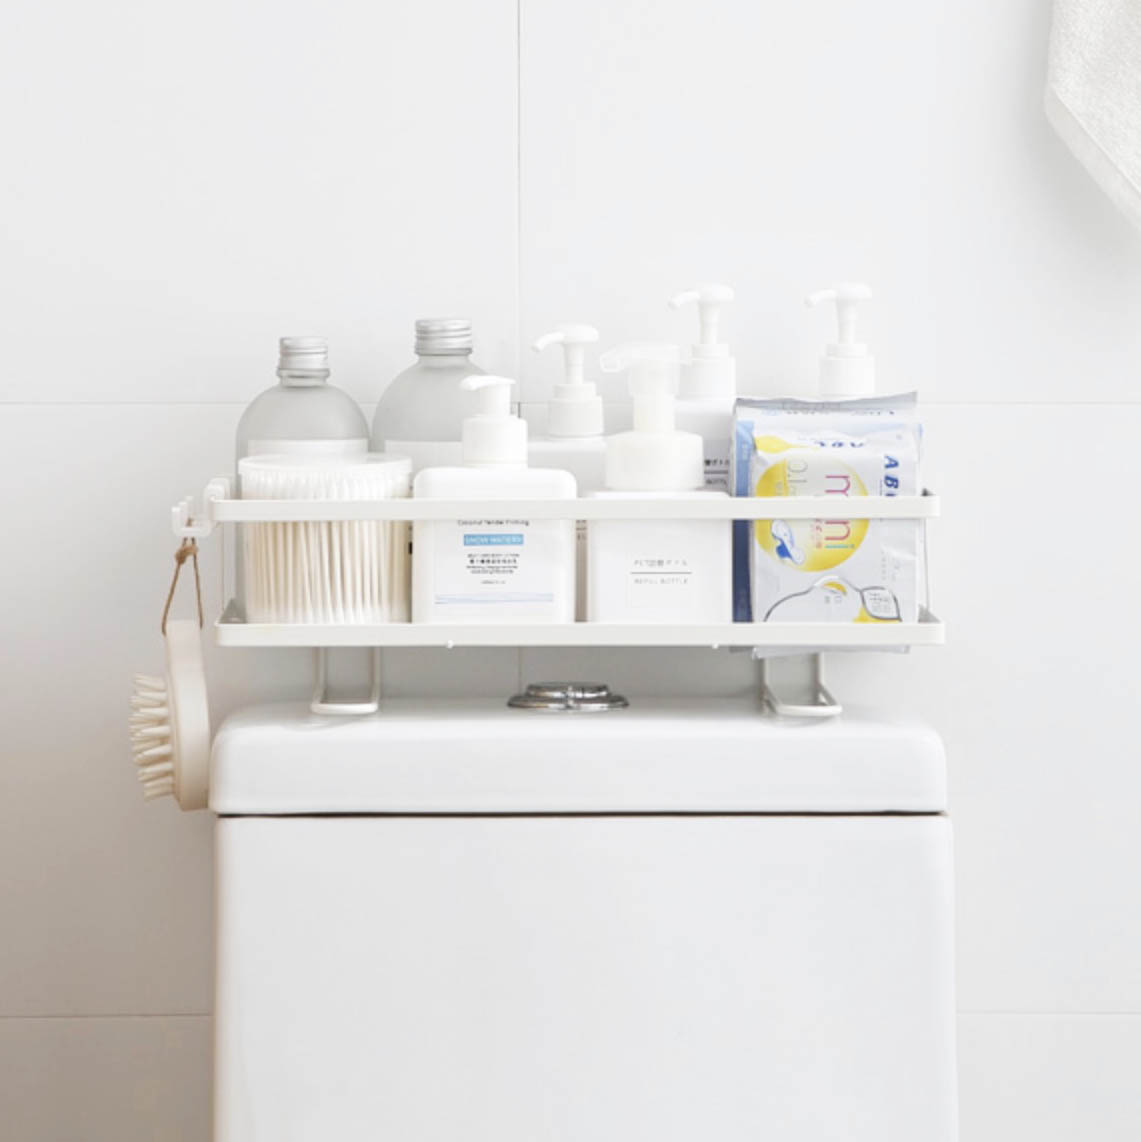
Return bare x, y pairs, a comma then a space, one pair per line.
422, 412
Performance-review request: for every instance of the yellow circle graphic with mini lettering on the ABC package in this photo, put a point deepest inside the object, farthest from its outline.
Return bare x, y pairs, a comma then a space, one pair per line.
810, 545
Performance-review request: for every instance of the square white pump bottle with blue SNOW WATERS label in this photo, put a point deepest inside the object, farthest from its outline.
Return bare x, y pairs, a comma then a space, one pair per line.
486, 569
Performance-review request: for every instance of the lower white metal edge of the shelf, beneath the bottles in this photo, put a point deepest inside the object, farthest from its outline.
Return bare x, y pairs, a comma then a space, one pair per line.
928, 632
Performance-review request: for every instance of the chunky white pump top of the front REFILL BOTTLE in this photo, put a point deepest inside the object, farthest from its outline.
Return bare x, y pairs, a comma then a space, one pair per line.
655, 457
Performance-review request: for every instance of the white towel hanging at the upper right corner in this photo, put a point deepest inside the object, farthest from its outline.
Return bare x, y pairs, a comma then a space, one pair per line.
1094, 93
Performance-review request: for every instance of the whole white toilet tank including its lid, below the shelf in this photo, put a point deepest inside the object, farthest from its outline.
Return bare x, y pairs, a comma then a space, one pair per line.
684, 922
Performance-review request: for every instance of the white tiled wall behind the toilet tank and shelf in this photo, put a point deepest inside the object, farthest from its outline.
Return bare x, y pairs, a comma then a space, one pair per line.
183, 184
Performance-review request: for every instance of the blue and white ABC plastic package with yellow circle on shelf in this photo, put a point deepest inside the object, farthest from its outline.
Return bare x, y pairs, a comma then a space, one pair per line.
833, 570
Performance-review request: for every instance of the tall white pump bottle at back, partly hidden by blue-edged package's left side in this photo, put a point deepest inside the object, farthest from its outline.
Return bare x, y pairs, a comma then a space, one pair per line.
709, 383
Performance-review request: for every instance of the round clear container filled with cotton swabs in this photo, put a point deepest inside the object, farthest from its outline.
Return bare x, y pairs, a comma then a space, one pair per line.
327, 572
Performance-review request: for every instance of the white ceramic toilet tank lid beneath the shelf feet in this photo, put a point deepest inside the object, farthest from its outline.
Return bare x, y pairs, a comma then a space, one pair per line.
685, 757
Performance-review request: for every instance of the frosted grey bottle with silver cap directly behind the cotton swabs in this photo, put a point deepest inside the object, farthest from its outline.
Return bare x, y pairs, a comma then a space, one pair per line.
303, 413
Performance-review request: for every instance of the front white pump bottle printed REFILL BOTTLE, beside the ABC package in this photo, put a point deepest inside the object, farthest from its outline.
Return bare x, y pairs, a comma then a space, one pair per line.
657, 570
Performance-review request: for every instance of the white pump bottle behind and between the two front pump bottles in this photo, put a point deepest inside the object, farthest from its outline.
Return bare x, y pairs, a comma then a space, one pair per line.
574, 440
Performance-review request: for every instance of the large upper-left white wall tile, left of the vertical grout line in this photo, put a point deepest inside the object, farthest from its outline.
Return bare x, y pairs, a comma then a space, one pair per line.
192, 184
